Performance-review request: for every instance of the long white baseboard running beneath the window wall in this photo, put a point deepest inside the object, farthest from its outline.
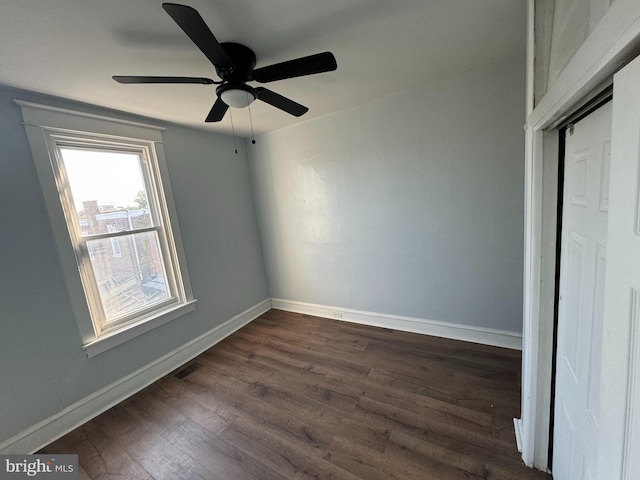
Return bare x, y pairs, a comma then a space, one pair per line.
80, 412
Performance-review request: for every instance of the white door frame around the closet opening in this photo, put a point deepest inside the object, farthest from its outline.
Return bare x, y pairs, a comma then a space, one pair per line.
612, 43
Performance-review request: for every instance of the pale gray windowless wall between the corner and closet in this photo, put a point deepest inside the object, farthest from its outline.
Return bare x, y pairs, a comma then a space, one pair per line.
411, 205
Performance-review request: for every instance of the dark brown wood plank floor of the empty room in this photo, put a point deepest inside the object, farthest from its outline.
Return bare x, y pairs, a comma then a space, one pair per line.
297, 397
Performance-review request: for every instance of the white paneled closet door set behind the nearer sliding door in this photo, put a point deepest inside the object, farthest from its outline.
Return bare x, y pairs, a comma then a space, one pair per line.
582, 283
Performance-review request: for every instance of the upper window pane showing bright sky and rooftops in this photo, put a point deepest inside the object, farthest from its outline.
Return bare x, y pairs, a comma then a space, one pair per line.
108, 190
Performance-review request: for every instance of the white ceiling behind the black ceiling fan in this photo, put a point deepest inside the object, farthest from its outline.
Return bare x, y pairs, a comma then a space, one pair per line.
71, 48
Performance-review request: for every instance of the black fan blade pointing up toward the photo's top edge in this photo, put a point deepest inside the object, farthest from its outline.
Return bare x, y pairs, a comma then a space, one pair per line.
190, 21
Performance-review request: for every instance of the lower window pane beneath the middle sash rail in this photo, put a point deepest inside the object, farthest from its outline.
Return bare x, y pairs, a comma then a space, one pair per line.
131, 277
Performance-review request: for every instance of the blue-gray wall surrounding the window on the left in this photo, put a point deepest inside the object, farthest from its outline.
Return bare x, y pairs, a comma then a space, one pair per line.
42, 367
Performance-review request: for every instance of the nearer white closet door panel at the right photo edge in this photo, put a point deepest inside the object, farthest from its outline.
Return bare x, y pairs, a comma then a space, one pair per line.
619, 452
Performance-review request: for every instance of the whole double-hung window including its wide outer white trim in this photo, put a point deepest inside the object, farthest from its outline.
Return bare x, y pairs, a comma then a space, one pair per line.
113, 220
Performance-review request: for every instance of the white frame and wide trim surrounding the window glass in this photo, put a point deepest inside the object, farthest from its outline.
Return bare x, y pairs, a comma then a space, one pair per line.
47, 127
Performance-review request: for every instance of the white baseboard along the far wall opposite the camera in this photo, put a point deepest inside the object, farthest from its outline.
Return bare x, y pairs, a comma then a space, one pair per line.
455, 331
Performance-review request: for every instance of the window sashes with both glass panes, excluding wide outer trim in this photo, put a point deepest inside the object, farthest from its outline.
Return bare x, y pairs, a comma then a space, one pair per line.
104, 187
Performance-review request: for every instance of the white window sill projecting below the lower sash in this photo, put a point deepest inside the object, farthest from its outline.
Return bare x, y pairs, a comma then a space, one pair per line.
118, 337
